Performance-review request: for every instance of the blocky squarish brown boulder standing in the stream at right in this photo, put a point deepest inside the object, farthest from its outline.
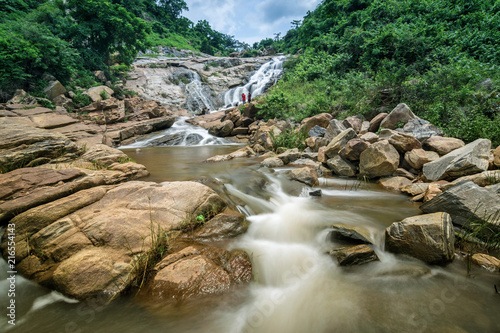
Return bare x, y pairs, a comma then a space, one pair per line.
429, 238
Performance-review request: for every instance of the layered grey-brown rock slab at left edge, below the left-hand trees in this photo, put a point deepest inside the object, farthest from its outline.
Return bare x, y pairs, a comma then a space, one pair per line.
23, 146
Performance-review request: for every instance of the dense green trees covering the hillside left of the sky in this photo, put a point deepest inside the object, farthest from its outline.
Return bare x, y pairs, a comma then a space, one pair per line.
70, 39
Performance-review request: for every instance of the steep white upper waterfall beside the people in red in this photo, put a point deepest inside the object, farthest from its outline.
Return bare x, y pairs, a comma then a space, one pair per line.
266, 75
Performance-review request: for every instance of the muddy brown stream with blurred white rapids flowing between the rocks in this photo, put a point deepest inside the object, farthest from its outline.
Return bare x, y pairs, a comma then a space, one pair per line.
297, 286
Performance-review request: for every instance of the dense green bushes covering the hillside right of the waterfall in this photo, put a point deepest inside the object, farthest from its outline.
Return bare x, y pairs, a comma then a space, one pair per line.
441, 57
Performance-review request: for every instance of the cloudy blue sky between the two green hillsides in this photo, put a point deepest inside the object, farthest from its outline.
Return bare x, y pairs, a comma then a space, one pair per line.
249, 21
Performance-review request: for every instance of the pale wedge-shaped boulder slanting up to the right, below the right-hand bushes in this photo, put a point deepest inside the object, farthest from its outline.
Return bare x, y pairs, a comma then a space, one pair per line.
473, 158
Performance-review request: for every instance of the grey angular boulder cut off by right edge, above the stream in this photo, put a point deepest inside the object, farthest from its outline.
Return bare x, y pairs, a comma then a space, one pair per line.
467, 203
